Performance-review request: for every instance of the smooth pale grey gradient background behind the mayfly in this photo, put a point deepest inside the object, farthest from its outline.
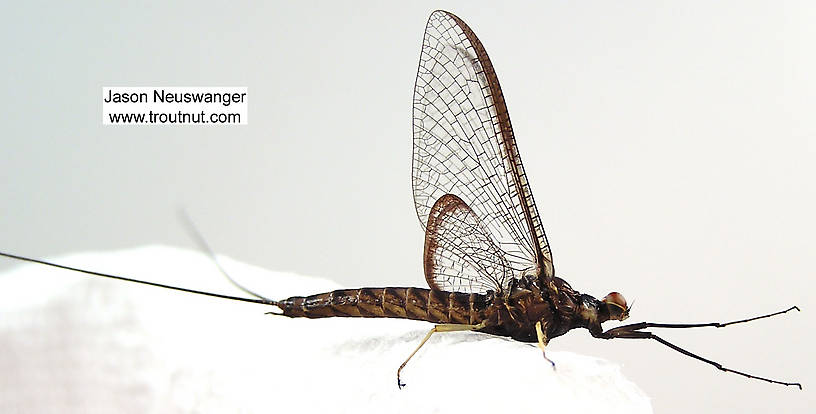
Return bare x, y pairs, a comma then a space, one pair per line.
670, 146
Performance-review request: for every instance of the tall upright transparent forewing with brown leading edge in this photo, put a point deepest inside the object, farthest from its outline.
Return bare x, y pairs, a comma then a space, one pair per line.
464, 145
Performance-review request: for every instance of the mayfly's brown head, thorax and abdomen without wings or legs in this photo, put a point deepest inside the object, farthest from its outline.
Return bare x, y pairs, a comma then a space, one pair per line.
514, 315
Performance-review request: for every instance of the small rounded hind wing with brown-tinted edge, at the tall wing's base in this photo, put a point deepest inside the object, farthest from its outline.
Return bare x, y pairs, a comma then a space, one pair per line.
460, 255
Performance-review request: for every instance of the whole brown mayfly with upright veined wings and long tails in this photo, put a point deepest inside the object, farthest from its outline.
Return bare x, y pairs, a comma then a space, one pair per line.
486, 258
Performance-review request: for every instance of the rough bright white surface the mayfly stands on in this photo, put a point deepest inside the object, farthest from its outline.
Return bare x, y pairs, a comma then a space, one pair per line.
75, 343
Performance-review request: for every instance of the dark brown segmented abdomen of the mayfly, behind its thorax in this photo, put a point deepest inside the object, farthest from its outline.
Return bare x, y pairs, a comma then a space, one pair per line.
408, 303
